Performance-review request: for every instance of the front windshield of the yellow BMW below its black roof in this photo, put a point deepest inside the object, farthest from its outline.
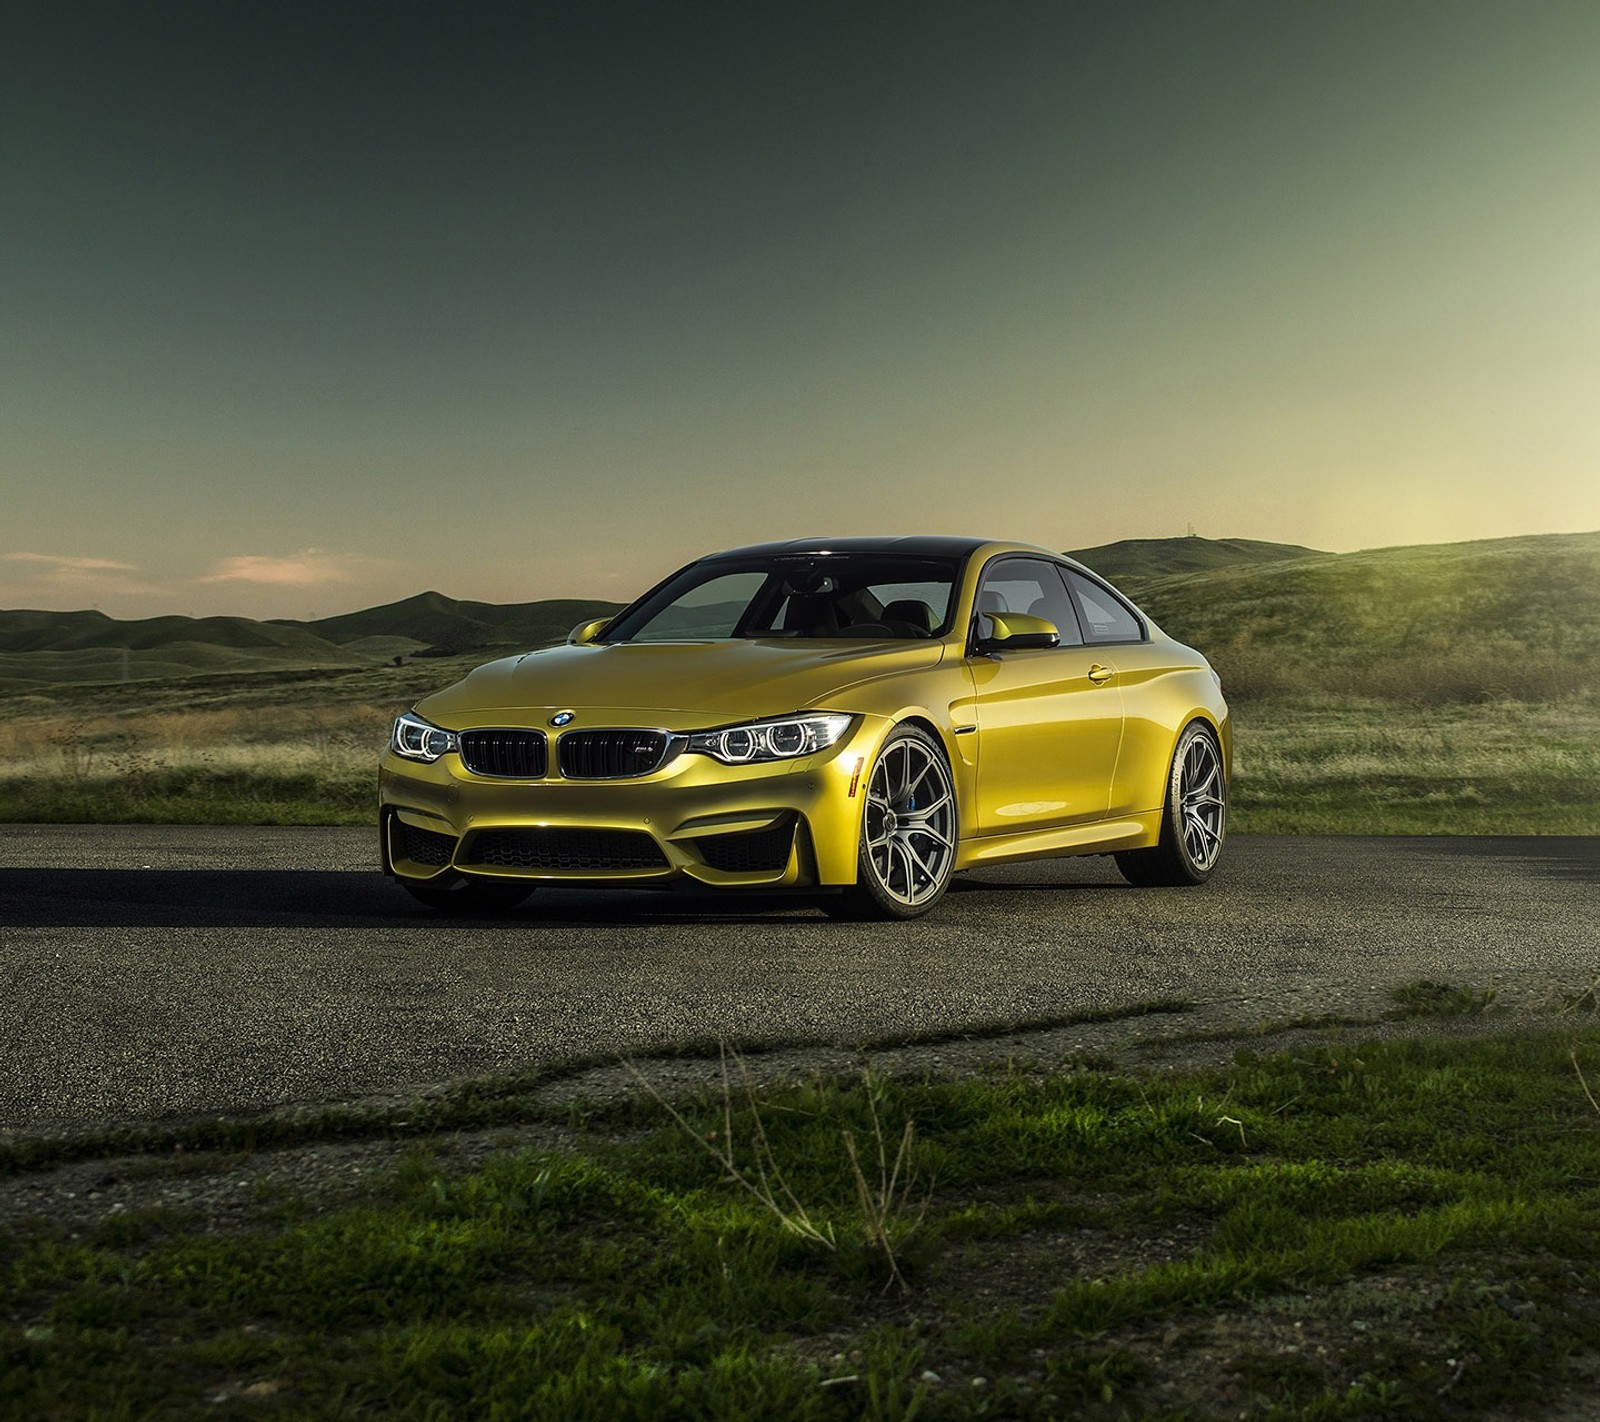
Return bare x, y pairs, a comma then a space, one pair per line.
815, 596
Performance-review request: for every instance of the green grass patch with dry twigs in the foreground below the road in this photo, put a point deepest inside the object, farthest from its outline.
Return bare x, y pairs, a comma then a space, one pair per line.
1401, 1229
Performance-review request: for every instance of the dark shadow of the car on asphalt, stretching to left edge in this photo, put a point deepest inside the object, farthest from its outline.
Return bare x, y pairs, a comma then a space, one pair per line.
303, 898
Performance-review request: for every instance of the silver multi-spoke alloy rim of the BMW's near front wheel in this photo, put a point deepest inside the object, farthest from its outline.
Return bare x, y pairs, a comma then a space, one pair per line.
911, 823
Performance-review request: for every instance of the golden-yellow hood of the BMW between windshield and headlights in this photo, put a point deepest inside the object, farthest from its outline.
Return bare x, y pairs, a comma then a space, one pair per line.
676, 684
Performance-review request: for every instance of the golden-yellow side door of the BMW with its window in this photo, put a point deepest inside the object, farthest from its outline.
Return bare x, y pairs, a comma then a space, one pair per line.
1049, 719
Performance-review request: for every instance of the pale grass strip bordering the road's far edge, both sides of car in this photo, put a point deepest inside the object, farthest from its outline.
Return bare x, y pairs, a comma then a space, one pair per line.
306, 753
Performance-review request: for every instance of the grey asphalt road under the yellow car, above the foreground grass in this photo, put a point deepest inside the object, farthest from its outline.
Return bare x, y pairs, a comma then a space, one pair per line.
153, 972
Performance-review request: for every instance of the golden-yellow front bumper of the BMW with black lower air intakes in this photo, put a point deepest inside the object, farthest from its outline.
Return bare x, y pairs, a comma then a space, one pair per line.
790, 823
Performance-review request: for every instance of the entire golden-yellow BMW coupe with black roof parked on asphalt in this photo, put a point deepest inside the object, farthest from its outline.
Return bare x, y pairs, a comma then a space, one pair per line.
858, 717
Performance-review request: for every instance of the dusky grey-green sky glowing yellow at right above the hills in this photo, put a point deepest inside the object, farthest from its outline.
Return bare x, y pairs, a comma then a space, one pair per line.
308, 308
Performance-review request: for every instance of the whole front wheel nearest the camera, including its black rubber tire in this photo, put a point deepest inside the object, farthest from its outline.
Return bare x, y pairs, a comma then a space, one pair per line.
910, 831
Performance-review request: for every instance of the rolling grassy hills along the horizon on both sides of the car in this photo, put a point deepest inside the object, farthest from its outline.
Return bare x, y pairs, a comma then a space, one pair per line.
1502, 618
